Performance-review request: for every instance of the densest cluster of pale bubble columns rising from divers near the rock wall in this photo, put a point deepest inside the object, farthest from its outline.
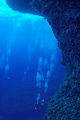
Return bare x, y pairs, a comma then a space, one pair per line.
42, 80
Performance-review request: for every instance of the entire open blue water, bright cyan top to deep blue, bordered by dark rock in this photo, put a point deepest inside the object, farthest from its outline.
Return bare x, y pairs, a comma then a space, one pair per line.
30, 65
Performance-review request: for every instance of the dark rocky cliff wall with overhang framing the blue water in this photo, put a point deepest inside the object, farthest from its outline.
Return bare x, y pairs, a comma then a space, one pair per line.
64, 18
